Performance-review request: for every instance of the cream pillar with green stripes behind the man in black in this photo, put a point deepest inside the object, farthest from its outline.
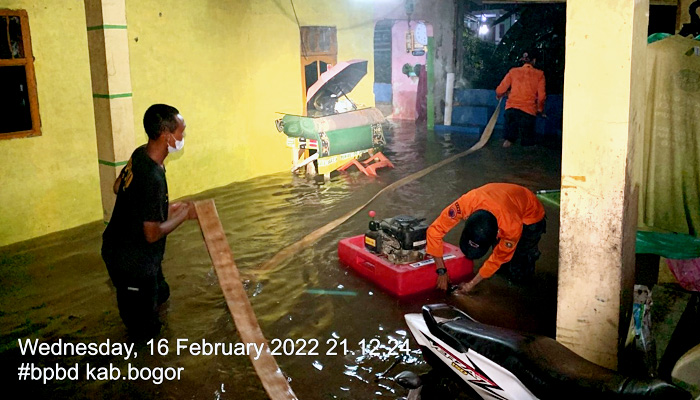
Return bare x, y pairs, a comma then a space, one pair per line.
111, 91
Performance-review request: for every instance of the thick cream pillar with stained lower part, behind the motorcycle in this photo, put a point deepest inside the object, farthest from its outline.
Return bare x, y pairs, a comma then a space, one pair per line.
604, 89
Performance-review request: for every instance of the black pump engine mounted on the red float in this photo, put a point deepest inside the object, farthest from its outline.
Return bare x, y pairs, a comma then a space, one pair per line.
401, 239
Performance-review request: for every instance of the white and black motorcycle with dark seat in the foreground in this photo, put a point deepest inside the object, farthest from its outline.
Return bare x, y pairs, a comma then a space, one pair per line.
504, 364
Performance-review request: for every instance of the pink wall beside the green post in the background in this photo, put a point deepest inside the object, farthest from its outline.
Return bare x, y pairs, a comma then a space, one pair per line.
404, 88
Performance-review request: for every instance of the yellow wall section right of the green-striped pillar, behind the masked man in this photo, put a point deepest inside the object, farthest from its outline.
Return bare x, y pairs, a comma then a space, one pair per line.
229, 67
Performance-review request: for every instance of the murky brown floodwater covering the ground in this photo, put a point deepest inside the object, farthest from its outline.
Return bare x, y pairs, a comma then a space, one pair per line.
56, 287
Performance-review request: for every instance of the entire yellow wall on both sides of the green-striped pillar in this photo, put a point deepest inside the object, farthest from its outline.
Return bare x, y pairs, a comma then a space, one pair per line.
228, 65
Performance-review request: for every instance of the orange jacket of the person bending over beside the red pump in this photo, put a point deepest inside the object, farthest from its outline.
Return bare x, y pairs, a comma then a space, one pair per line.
512, 205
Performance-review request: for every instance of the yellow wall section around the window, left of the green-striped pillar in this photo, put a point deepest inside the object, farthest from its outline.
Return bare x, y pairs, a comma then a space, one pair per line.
50, 183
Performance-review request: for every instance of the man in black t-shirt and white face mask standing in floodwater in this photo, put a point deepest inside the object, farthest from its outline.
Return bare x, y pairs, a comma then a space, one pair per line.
133, 243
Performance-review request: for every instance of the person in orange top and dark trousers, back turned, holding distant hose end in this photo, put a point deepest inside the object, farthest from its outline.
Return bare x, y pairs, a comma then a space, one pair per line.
525, 88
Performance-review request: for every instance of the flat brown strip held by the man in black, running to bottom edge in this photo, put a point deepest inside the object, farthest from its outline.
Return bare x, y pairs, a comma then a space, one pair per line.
274, 382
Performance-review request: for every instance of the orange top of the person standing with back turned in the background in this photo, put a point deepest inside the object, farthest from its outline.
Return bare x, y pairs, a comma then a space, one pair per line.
527, 89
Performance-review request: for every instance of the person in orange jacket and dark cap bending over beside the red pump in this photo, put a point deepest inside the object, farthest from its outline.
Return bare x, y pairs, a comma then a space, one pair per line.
506, 216
